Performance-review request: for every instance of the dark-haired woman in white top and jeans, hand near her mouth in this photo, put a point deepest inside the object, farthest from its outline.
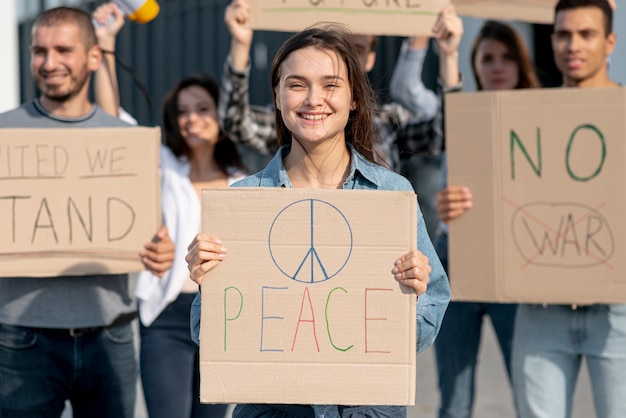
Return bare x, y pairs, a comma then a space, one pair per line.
196, 154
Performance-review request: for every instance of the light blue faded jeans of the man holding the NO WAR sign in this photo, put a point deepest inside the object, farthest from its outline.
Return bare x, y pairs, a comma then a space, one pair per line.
548, 347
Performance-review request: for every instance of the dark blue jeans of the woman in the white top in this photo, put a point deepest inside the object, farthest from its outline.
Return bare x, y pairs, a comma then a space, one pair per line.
170, 366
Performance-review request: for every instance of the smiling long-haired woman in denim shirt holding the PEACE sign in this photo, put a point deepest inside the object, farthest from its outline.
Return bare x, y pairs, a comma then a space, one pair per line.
324, 124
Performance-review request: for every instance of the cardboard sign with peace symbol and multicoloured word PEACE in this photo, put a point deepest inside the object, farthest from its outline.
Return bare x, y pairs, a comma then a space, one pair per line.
304, 308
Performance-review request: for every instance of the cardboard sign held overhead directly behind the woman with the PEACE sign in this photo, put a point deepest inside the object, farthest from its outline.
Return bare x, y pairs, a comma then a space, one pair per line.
407, 17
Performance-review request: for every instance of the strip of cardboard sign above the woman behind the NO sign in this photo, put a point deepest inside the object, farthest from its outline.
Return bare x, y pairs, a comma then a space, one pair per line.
535, 11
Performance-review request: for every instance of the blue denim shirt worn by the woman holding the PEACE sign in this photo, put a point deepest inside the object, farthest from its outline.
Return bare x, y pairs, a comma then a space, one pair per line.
431, 305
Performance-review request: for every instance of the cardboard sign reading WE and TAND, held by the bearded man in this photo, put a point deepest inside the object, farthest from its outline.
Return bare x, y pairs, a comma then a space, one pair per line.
77, 201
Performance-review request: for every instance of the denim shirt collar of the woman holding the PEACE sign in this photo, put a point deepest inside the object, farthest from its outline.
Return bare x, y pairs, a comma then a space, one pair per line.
362, 172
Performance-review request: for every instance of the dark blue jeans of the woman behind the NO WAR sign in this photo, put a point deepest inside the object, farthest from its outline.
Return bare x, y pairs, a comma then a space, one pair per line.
456, 346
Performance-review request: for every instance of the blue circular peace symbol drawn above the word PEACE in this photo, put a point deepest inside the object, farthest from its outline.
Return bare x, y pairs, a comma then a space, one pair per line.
310, 241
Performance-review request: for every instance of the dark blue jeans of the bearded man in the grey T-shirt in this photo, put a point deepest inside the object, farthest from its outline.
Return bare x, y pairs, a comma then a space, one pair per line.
41, 368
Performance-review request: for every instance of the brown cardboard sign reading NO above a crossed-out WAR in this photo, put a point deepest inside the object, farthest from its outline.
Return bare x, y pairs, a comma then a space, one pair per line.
547, 171
